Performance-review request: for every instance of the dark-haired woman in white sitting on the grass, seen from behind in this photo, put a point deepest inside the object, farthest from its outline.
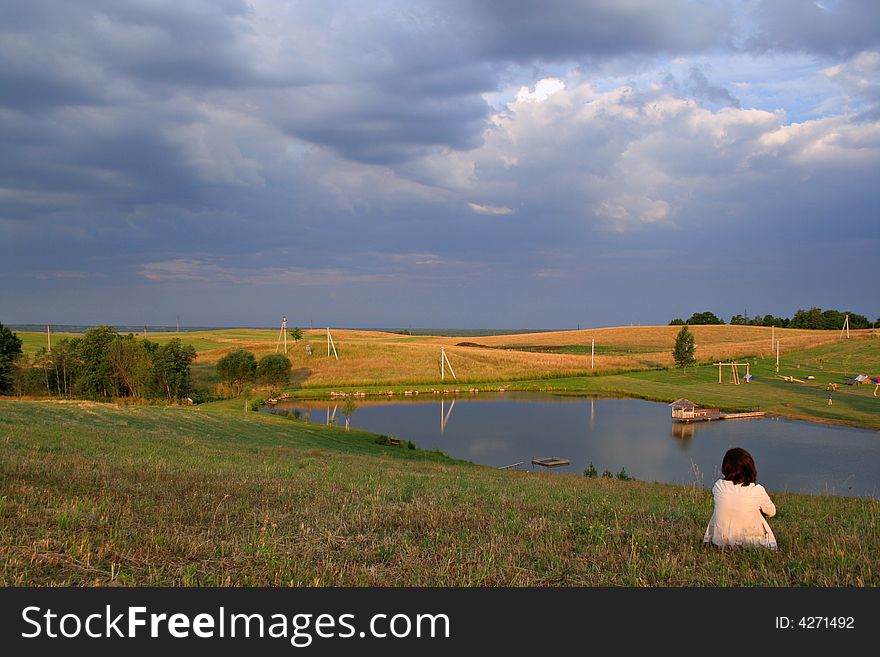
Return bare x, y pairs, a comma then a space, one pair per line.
740, 505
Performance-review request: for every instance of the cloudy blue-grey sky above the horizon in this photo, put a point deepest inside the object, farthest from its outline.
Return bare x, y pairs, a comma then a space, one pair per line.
437, 163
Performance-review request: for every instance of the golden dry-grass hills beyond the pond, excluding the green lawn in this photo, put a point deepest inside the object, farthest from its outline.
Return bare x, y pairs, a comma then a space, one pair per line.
382, 358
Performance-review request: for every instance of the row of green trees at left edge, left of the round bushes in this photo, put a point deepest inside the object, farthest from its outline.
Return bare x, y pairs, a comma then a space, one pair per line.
100, 364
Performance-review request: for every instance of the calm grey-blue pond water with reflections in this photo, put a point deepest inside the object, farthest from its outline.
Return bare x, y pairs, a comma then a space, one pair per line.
502, 429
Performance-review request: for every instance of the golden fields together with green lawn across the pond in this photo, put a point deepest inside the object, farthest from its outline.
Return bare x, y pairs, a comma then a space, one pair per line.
634, 361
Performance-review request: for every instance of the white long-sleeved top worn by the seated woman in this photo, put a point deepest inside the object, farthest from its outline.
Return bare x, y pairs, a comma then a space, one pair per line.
737, 518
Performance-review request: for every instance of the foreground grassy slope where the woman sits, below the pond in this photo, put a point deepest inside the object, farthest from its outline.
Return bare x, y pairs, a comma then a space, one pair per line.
94, 494
